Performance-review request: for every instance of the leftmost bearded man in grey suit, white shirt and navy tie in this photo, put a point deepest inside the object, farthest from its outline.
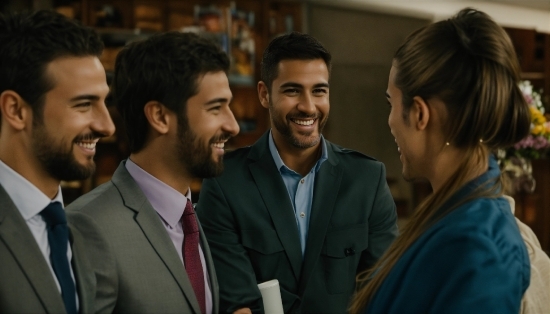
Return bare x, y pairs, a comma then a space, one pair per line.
52, 103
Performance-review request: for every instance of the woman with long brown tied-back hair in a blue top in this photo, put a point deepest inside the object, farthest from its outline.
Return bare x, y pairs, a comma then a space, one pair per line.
454, 97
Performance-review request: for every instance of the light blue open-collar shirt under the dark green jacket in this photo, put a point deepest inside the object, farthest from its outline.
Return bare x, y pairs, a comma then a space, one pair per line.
300, 189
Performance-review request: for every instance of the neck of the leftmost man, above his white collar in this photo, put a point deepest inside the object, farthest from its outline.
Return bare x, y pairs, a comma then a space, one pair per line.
14, 154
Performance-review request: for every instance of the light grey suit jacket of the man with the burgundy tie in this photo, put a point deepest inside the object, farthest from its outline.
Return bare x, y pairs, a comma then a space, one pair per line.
151, 276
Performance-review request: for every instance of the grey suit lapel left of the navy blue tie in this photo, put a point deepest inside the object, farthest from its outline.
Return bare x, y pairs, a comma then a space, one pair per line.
15, 233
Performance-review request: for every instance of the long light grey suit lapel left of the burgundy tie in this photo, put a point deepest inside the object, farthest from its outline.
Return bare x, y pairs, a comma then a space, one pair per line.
148, 220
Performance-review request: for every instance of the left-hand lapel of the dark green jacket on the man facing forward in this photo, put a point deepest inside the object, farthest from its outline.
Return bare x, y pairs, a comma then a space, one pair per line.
276, 199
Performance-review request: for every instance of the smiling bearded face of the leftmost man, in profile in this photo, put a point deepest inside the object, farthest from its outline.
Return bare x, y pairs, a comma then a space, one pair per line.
73, 119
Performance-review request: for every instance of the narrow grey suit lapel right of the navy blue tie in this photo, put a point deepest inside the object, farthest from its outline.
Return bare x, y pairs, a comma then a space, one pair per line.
83, 272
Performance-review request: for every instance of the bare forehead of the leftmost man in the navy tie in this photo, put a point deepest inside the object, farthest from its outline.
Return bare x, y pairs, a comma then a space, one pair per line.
73, 76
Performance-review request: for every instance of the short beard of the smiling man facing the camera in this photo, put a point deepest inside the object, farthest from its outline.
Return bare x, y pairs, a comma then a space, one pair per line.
301, 140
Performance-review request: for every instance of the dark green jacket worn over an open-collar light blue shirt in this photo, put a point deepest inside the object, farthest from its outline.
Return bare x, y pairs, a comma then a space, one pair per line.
251, 227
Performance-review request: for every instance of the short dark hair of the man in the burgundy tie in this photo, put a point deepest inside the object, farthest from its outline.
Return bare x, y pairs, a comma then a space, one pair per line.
166, 68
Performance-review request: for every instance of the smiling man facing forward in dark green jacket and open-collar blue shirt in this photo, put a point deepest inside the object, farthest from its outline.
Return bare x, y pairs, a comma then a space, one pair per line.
295, 207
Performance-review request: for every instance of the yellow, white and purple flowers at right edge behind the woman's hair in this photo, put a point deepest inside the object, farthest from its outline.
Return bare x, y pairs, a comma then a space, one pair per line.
537, 143
